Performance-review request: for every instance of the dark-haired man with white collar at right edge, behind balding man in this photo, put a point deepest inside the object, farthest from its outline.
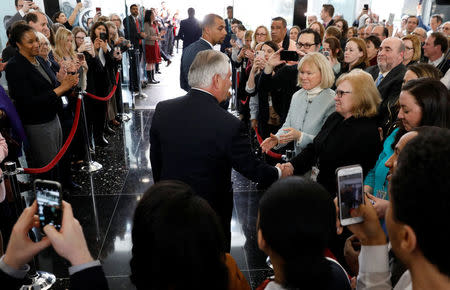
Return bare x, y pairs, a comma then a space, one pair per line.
435, 49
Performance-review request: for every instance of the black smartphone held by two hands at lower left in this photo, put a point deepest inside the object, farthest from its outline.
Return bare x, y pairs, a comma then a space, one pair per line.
48, 196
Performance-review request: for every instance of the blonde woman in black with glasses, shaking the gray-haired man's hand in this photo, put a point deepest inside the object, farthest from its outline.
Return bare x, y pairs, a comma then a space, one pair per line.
349, 136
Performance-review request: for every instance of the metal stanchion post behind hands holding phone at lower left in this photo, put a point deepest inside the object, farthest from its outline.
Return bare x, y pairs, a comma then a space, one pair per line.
40, 280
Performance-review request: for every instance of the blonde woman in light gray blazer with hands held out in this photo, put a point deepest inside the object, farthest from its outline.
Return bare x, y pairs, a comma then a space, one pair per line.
310, 106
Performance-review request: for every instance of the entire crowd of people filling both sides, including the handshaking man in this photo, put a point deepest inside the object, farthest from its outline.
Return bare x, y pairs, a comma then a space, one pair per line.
358, 93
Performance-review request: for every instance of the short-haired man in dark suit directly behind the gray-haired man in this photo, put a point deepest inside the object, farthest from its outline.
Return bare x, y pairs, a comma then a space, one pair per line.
213, 32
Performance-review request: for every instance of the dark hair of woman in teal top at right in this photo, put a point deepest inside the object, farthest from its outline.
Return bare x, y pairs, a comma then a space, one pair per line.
434, 100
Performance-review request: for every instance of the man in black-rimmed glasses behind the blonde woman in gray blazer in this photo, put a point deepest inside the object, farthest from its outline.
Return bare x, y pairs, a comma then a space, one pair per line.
283, 84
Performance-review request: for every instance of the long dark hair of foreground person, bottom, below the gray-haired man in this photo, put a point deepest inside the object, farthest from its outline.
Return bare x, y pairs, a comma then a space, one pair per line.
177, 238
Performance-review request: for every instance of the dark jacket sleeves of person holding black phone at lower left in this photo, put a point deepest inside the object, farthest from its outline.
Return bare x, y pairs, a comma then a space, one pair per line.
88, 279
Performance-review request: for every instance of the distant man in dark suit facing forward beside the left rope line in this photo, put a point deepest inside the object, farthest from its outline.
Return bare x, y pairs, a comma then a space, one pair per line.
134, 33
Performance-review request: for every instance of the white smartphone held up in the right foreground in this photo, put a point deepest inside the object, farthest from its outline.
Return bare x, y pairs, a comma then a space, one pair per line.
350, 193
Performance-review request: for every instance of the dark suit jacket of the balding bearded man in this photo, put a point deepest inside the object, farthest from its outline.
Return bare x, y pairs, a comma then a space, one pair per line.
389, 89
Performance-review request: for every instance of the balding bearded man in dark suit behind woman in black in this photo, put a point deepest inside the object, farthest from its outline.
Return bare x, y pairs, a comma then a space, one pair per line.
388, 76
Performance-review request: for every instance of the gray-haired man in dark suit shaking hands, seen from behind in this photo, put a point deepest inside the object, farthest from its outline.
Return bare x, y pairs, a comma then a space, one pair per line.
194, 140
